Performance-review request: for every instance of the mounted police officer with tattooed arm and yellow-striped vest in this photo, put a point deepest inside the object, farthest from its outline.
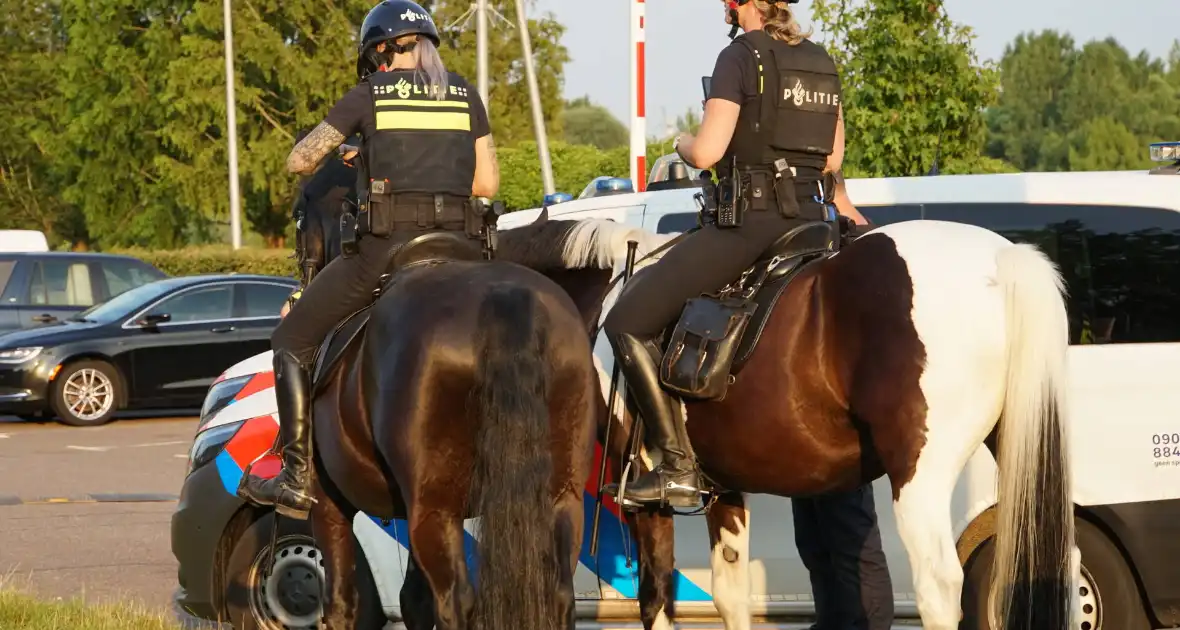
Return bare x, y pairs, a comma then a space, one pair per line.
427, 149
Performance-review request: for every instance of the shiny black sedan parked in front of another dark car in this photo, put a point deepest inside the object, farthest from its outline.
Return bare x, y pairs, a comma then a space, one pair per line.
159, 346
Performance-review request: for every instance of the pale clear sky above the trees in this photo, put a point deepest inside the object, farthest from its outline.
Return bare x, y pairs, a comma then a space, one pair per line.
685, 36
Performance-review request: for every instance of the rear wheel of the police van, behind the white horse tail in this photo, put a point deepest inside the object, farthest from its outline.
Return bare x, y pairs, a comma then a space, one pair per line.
1110, 593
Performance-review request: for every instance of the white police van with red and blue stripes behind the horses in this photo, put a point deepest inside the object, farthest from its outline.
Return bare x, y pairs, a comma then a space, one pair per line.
1117, 238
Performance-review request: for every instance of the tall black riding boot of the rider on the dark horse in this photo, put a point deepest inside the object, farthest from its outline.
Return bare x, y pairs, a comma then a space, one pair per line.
291, 490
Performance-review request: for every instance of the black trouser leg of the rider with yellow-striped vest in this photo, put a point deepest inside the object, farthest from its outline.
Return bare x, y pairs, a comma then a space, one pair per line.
344, 287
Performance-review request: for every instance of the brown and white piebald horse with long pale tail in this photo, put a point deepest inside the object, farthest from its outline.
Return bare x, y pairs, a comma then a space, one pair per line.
900, 356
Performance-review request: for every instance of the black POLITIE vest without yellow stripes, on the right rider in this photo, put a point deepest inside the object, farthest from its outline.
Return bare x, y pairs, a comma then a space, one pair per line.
796, 115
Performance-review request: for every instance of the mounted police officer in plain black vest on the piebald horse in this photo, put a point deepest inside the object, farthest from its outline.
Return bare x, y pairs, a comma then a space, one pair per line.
773, 128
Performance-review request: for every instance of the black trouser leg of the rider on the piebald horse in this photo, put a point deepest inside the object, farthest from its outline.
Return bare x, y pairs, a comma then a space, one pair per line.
704, 262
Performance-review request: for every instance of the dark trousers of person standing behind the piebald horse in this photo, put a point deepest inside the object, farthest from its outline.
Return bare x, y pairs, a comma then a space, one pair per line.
841, 544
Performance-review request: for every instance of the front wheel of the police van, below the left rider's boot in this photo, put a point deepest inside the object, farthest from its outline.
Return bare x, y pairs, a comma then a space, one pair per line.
287, 599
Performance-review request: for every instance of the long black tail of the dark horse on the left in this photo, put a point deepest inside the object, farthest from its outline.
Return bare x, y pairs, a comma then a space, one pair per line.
517, 573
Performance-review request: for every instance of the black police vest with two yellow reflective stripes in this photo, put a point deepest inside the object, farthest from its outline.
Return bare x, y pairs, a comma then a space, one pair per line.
421, 145
